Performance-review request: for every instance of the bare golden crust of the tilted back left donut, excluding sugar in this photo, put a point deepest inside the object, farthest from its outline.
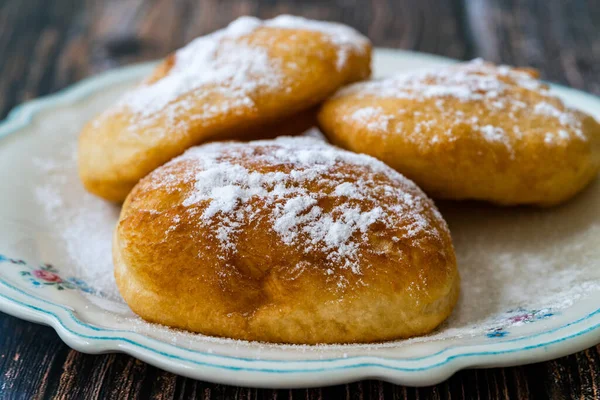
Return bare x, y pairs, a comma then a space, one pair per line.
115, 151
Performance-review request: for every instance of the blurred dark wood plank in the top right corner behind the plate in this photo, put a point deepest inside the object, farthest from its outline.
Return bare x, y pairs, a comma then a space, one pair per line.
561, 38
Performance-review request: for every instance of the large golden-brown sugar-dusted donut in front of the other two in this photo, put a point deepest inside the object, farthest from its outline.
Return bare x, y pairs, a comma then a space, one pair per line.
289, 240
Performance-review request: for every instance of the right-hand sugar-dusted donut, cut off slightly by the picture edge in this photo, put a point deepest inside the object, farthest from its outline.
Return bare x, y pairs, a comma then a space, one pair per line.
470, 131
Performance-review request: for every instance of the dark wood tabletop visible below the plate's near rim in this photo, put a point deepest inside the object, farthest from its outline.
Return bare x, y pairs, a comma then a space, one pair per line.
34, 363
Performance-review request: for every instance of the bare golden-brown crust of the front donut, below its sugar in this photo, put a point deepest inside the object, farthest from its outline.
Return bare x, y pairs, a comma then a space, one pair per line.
178, 276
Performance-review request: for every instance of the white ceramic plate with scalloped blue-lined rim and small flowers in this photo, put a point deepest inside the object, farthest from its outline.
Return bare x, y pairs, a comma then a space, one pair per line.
531, 278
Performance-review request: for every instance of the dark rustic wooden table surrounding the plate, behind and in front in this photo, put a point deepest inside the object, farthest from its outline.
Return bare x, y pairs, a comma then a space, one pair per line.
46, 45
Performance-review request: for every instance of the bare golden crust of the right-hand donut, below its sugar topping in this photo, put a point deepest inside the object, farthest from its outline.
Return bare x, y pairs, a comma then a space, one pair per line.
452, 161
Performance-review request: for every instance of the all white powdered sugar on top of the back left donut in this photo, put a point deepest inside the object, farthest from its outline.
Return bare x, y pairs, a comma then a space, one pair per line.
222, 61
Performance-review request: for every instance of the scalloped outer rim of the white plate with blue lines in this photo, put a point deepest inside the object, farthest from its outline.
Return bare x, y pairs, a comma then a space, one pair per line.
262, 373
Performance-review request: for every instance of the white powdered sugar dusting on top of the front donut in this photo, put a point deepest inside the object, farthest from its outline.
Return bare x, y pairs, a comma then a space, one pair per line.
224, 179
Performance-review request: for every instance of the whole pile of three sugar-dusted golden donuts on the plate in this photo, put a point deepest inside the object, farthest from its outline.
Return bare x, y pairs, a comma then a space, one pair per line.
229, 230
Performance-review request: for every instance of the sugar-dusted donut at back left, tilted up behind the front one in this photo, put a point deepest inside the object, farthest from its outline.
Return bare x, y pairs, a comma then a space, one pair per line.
231, 84
